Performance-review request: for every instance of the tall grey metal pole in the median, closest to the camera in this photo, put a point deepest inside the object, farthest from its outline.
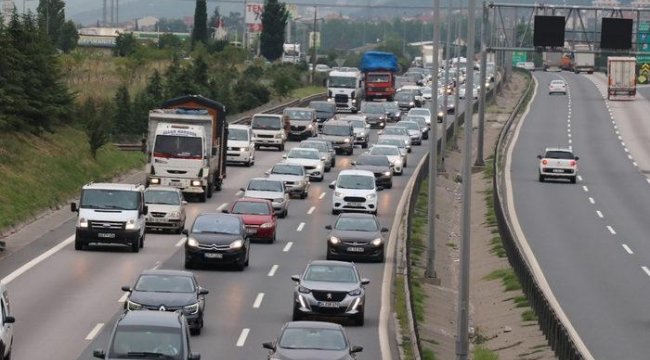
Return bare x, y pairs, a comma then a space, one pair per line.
462, 333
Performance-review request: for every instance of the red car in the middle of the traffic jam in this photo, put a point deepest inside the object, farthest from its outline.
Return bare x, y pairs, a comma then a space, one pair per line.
258, 216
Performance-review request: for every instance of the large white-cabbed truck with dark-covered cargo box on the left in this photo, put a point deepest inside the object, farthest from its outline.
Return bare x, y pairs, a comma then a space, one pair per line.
186, 146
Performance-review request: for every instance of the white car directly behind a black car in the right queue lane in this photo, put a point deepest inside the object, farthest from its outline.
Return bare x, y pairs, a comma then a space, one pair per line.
354, 191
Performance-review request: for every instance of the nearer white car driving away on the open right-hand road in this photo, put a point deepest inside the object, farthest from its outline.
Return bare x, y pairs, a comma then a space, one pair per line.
557, 163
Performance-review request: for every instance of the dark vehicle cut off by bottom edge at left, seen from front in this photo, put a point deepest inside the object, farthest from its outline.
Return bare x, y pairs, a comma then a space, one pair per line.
143, 335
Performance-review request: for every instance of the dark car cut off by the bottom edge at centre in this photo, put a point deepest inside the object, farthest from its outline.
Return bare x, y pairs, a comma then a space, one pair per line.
307, 340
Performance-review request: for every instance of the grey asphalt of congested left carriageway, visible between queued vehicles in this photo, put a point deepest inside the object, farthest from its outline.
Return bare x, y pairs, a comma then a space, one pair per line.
67, 303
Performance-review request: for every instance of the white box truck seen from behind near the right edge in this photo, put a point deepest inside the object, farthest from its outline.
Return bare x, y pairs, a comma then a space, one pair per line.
621, 77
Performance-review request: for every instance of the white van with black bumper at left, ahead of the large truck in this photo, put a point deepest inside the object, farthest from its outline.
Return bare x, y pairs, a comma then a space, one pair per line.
110, 213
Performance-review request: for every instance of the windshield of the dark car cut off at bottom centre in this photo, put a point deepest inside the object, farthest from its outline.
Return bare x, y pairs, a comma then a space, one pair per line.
312, 338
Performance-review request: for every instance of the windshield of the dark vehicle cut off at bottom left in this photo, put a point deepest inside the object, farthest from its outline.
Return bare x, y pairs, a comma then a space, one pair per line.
133, 341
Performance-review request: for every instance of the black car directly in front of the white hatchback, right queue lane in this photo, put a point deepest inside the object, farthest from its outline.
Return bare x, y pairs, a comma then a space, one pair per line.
356, 236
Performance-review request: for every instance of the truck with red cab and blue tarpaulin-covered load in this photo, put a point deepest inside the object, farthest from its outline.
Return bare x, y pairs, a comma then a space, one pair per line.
379, 69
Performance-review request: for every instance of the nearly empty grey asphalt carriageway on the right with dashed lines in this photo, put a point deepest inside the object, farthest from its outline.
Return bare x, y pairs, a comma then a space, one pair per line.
589, 238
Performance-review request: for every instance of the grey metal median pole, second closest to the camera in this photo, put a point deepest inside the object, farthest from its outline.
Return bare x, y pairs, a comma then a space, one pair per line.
433, 151
